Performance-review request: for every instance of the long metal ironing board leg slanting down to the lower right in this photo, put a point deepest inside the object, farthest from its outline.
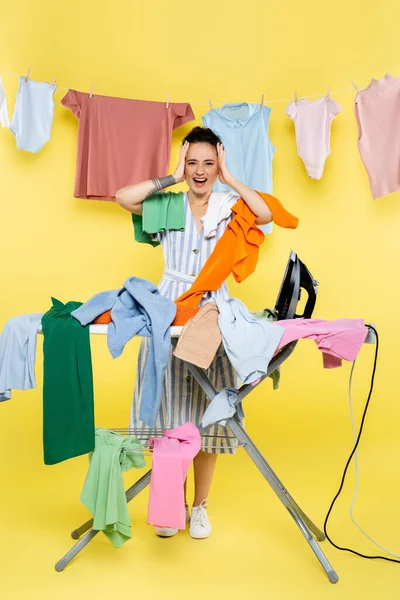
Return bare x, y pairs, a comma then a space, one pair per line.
306, 526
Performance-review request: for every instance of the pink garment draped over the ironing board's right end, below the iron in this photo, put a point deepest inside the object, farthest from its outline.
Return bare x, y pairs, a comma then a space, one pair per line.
338, 339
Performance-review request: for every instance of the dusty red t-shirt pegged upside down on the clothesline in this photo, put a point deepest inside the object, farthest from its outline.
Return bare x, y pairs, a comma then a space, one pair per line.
121, 141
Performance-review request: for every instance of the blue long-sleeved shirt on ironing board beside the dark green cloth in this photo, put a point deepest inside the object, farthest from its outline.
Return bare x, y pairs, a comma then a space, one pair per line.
138, 308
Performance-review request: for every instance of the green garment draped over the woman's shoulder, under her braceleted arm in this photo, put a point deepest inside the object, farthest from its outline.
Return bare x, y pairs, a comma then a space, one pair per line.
160, 212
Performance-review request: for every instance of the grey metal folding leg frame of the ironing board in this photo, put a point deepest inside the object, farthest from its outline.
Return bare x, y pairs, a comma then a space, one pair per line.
311, 532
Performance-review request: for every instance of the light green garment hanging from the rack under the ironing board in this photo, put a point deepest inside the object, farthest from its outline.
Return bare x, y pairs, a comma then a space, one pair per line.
103, 491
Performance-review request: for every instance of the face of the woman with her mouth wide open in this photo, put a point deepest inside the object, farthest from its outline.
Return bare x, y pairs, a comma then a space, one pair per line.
201, 167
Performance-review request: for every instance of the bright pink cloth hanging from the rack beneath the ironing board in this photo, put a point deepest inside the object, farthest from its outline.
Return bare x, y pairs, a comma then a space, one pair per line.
172, 455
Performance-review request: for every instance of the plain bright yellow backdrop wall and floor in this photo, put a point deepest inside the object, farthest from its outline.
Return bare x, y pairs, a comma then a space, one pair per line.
53, 244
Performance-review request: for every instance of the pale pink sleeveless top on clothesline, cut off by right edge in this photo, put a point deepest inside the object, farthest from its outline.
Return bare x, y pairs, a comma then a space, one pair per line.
377, 110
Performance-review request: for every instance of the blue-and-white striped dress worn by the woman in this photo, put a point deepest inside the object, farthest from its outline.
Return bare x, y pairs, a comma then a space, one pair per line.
183, 400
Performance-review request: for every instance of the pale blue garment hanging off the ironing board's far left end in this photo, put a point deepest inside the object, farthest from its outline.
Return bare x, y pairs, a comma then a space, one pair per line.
18, 354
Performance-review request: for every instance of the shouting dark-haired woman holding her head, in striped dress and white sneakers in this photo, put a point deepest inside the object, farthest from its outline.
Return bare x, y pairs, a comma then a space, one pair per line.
201, 161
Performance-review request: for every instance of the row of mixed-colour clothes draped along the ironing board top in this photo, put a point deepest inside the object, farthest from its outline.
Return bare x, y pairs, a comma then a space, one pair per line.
250, 341
